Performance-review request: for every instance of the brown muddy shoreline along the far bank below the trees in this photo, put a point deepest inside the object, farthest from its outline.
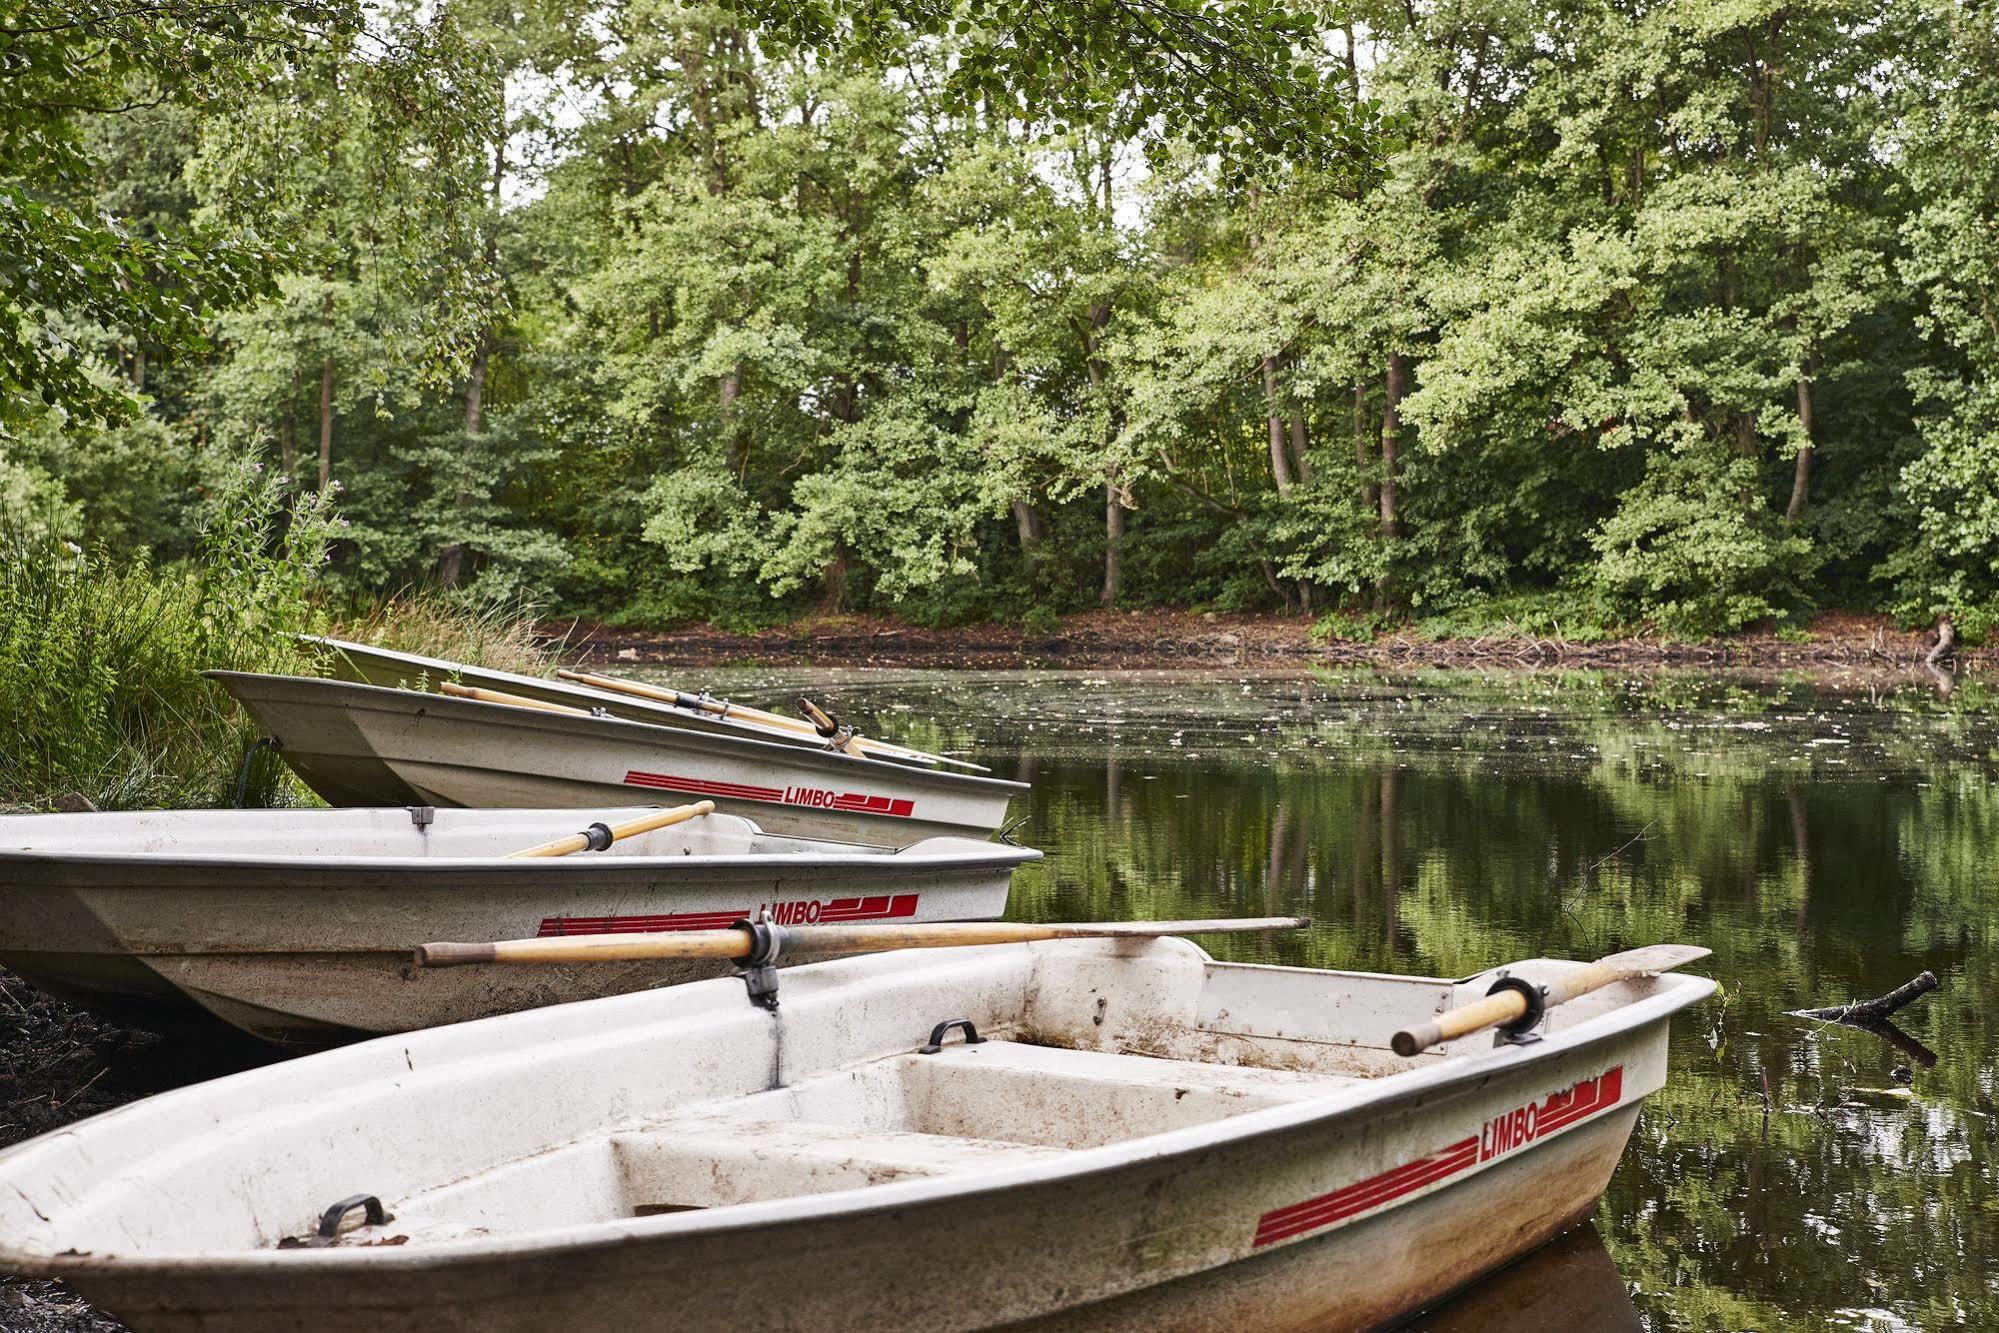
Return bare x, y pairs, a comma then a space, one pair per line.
1164, 641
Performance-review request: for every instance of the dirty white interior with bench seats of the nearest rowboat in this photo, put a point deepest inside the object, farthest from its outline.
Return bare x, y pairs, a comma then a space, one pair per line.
695, 1100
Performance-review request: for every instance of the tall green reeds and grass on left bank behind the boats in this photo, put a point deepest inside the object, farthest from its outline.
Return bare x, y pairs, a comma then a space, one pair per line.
101, 655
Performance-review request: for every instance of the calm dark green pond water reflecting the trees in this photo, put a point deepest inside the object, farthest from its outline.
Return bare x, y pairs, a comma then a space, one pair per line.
1826, 842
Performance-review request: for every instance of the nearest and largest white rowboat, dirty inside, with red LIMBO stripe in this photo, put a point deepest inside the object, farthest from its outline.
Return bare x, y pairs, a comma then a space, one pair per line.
1140, 1138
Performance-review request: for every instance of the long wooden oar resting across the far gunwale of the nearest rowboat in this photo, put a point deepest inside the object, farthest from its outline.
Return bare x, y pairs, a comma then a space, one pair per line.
735, 942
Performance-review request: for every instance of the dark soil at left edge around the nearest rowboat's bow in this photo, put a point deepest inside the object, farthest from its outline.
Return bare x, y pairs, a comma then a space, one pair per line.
61, 1064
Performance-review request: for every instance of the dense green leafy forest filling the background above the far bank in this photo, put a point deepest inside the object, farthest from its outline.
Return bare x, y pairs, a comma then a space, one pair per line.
1674, 317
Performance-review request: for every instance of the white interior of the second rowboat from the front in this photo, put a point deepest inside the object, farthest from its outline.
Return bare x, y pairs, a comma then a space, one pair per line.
417, 832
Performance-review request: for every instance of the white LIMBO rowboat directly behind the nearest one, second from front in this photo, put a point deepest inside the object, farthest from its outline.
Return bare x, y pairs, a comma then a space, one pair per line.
297, 924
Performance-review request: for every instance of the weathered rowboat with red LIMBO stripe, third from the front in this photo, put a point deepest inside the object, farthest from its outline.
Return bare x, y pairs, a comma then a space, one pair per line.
375, 746
